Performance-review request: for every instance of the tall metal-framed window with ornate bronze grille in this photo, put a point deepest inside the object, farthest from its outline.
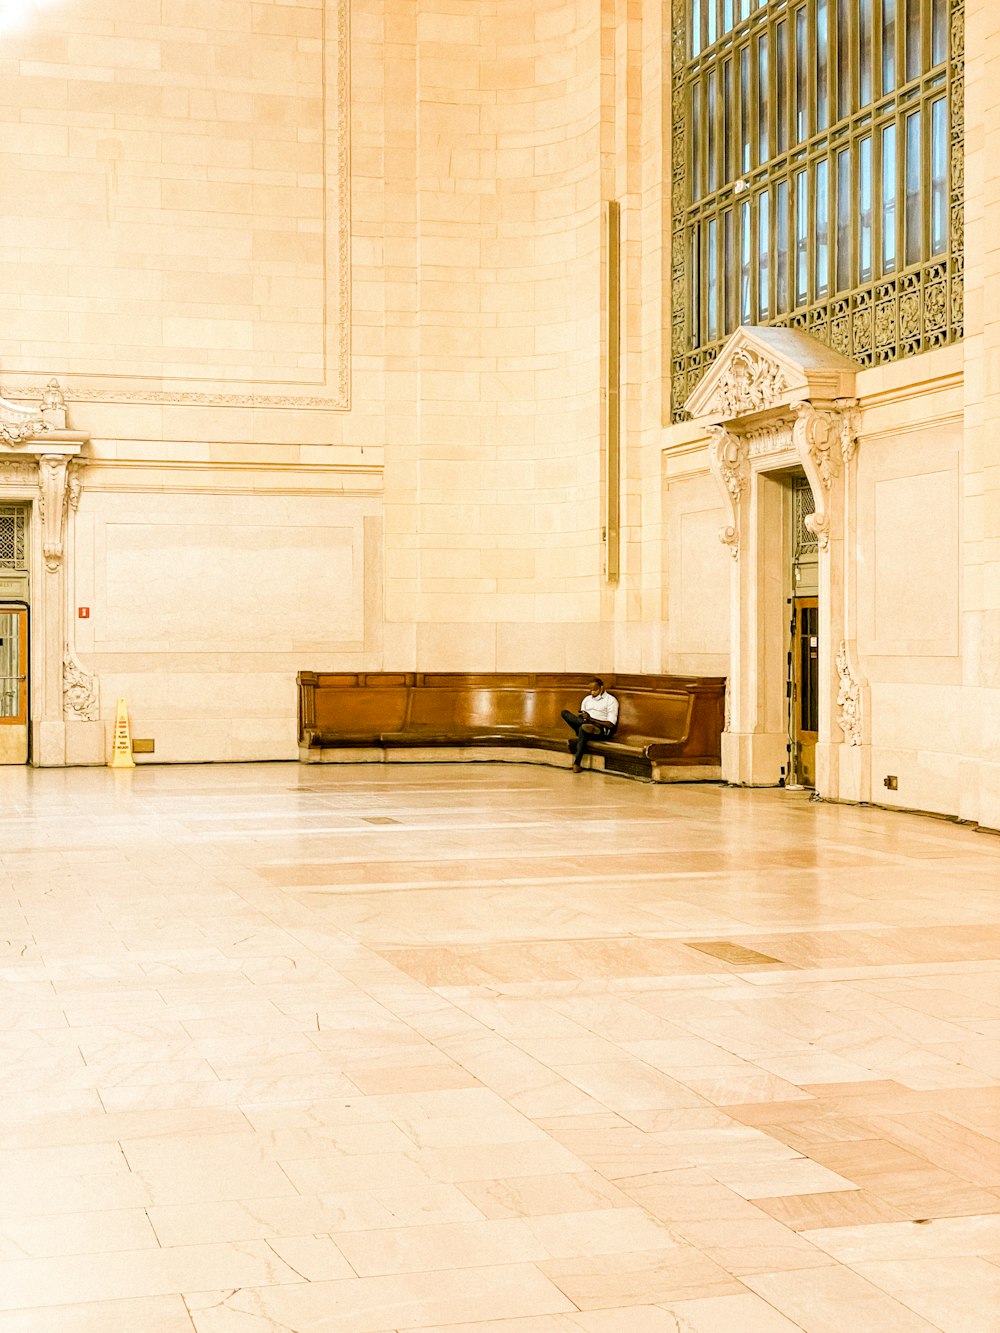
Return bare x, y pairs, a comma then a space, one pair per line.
818, 175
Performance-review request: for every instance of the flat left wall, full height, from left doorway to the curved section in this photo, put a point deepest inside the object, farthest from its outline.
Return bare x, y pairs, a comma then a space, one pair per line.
175, 249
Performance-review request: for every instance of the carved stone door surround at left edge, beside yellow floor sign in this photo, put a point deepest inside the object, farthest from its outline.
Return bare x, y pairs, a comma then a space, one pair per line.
41, 466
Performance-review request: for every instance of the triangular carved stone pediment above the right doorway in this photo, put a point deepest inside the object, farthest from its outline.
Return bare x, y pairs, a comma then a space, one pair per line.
761, 370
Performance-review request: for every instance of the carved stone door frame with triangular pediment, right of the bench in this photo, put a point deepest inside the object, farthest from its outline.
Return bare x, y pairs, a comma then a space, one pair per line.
777, 399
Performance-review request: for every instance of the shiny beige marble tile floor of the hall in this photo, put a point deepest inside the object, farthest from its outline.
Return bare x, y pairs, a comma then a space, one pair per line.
491, 1050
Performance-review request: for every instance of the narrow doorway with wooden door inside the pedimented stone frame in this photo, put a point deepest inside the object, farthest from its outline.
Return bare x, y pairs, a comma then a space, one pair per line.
805, 643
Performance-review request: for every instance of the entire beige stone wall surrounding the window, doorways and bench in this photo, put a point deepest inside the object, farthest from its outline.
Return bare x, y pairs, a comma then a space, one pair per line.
363, 426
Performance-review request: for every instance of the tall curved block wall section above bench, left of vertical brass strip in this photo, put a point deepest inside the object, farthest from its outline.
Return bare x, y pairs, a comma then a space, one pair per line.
494, 119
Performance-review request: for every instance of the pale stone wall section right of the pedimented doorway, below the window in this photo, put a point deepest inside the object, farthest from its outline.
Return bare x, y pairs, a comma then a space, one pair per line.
911, 518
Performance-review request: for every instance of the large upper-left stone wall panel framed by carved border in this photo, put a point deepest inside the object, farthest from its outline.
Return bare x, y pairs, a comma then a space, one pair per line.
174, 169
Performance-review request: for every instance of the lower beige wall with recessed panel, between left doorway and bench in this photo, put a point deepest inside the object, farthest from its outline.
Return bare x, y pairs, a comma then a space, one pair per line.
205, 602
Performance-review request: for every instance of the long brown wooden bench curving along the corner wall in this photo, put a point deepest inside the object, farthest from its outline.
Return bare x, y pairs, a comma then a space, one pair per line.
670, 727
